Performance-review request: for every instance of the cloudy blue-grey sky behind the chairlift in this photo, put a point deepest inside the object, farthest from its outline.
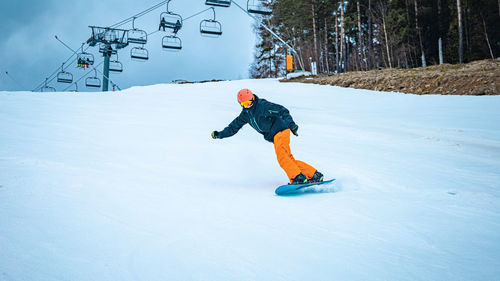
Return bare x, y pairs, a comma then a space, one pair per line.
29, 51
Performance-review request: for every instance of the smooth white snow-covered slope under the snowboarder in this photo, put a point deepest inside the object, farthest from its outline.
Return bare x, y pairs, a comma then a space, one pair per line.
130, 186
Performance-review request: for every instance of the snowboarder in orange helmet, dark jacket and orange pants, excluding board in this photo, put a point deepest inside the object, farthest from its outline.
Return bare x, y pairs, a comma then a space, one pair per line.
275, 123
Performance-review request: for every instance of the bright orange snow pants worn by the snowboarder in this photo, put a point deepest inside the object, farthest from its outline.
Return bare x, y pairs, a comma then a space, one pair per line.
291, 166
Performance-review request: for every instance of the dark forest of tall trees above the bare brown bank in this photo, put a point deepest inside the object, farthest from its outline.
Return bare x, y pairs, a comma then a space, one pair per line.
369, 34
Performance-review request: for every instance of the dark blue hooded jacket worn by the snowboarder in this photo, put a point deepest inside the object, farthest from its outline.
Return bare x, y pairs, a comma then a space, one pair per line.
265, 117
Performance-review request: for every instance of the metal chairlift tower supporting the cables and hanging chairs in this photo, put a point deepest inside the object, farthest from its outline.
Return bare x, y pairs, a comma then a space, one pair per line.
110, 40
